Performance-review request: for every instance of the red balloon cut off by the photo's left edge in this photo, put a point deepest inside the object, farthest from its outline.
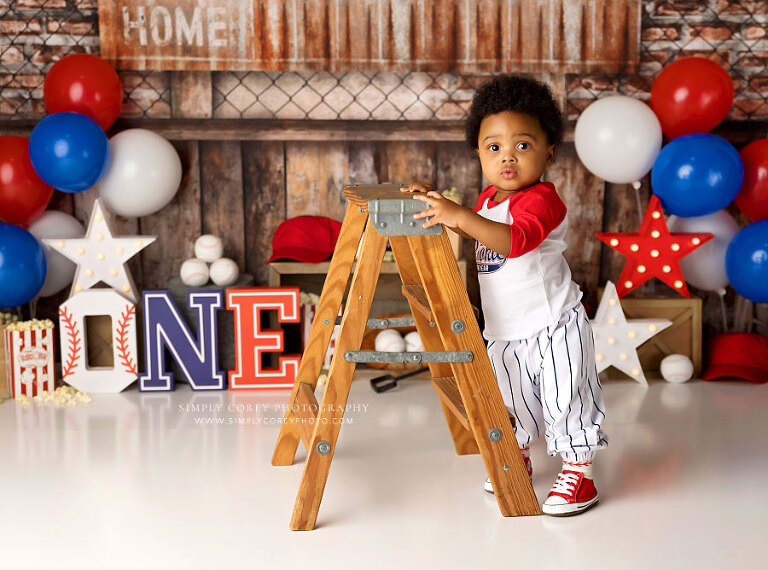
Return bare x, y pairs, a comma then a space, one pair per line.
23, 194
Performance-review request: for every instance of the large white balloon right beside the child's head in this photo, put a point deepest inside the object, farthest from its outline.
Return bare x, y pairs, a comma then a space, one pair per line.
618, 139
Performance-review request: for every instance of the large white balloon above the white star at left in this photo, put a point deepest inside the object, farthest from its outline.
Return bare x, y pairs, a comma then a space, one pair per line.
142, 176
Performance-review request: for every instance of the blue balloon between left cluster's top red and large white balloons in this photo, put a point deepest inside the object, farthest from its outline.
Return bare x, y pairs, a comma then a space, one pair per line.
69, 151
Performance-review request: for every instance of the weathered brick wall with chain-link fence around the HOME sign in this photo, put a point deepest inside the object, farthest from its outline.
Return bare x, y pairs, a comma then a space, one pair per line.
36, 33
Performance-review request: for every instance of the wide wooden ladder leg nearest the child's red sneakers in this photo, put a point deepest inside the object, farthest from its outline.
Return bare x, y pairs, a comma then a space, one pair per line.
485, 409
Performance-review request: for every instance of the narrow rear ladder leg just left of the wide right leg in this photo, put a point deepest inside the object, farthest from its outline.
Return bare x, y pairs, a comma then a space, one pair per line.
463, 439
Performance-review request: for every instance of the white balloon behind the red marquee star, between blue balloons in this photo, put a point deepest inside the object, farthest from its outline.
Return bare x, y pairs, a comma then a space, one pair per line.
704, 267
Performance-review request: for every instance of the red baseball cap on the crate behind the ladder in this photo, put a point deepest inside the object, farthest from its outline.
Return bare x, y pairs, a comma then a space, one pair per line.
310, 239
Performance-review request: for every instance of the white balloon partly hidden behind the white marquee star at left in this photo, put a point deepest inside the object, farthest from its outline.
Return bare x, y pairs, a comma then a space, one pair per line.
61, 271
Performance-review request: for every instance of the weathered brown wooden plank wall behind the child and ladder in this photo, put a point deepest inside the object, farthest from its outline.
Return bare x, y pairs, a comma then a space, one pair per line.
243, 178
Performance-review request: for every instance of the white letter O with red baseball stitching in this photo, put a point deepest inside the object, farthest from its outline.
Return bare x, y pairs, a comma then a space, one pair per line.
74, 363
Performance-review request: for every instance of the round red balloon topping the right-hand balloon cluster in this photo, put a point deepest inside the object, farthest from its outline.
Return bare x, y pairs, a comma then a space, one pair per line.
691, 95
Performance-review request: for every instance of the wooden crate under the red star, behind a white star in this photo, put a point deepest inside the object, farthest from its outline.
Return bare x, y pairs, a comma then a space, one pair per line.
682, 337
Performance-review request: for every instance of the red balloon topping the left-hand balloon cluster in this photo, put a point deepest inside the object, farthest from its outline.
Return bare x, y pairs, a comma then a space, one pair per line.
85, 84
